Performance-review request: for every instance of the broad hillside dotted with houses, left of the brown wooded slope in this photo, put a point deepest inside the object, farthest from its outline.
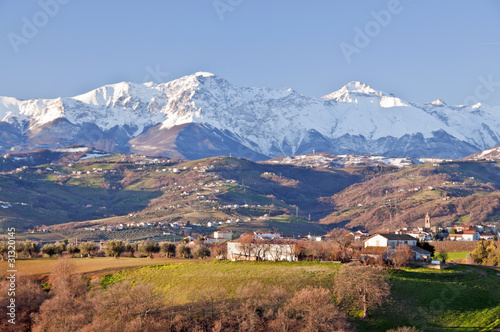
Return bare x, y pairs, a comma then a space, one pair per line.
120, 189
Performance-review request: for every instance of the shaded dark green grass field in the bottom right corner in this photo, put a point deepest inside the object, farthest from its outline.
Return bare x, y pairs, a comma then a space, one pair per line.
461, 298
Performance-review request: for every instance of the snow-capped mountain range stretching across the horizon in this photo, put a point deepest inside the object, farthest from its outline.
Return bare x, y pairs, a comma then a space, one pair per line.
204, 115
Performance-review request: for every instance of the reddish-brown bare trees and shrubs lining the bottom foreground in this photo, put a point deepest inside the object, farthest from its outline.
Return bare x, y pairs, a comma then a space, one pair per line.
74, 303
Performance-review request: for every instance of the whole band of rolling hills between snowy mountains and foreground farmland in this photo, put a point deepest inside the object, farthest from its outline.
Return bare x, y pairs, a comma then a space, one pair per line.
84, 193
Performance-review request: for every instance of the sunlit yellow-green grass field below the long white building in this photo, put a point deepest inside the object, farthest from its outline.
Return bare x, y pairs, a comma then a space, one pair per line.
183, 282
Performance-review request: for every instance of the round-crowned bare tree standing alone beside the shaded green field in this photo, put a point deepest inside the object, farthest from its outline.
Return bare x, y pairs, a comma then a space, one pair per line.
362, 287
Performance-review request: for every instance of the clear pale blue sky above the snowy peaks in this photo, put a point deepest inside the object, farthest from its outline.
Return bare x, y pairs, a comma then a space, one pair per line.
427, 50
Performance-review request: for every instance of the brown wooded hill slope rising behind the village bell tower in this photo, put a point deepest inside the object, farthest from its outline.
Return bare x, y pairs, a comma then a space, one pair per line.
451, 192
